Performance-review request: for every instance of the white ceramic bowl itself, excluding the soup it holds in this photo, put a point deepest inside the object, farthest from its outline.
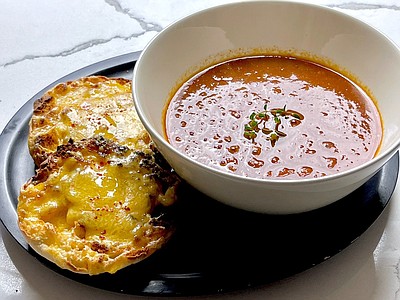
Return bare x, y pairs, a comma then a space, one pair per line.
215, 34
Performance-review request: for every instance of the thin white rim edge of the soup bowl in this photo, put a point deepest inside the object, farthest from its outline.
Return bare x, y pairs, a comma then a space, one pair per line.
380, 157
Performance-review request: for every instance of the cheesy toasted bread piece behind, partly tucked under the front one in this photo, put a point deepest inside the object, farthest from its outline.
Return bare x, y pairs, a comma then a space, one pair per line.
81, 109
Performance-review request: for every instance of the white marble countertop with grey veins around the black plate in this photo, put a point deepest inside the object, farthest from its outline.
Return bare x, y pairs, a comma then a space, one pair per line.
42, 41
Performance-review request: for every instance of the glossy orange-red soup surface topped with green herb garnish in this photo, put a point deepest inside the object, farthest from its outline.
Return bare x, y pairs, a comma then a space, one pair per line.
274, 117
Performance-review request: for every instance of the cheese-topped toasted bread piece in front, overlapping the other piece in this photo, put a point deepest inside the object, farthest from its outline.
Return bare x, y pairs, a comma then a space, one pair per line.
95, 206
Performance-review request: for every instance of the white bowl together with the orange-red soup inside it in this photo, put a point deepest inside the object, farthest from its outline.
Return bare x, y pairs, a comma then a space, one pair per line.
271, 106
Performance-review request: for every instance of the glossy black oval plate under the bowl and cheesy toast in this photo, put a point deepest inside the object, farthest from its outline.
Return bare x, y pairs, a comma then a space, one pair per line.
215, 248
